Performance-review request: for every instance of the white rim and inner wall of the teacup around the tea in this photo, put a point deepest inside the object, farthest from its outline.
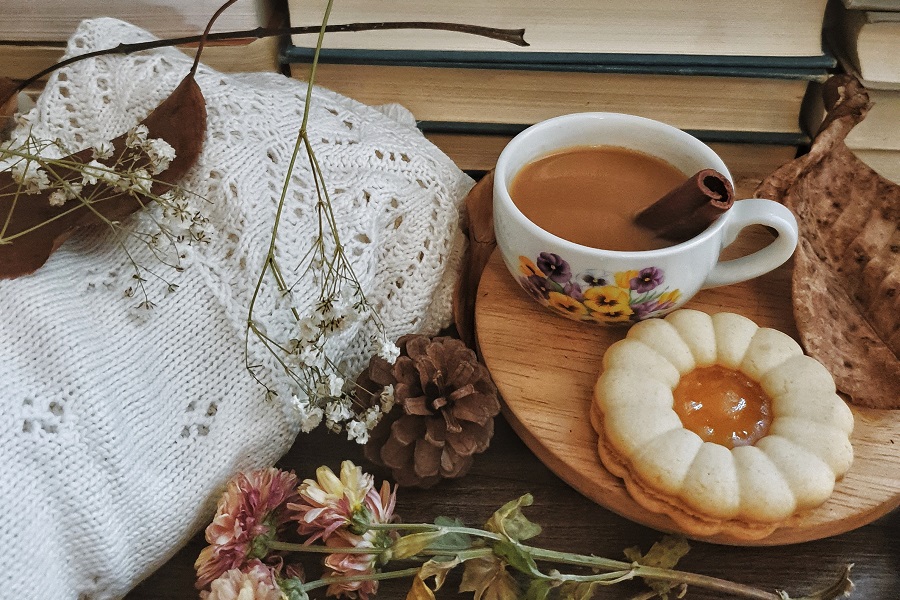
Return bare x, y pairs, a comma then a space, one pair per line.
502, 178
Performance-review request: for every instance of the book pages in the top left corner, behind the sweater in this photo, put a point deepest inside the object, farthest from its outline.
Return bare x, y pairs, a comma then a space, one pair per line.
33, 33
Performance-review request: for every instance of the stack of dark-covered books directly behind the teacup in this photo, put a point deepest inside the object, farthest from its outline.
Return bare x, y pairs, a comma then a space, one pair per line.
732, 72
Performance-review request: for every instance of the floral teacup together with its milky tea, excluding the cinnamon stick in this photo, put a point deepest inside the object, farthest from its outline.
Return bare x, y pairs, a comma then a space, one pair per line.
566, 191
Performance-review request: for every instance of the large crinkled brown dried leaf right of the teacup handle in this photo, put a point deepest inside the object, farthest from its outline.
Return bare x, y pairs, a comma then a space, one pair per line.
846, 281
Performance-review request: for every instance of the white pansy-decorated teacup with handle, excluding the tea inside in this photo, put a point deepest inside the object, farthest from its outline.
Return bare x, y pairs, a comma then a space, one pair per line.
612, 287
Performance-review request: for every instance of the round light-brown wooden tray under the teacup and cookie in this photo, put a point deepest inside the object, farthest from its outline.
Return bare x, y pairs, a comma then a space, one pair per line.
545, 367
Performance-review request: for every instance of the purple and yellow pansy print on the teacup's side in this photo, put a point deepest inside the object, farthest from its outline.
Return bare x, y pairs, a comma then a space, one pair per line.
619, 297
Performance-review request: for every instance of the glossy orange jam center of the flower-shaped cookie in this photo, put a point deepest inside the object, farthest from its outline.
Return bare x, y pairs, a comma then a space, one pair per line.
723, 405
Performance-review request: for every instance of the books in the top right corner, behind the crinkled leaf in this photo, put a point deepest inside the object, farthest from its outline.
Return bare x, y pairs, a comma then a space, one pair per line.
865, 36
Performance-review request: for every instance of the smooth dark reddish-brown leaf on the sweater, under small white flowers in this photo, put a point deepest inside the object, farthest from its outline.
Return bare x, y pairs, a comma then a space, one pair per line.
180, 120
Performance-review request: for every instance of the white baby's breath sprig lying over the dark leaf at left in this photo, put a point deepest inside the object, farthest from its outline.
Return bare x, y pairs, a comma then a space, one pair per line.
66, 180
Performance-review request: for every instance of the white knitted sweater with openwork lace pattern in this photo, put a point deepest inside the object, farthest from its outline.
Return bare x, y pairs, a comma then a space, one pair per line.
118, 431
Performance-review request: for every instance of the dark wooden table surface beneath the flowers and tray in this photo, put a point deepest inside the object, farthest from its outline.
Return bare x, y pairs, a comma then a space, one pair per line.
573, 523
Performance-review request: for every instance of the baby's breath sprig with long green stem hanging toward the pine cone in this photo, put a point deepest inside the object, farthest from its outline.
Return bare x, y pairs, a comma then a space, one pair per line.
323, 391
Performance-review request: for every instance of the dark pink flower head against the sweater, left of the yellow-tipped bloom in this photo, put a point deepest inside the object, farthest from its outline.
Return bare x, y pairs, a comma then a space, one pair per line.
249, 514
